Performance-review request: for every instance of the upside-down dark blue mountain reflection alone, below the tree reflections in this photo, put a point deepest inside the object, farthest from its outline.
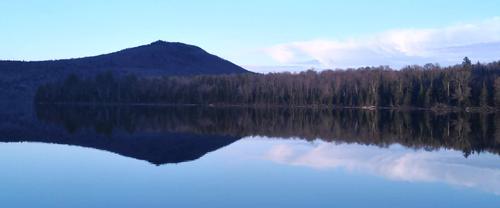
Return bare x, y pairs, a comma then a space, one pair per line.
158, 149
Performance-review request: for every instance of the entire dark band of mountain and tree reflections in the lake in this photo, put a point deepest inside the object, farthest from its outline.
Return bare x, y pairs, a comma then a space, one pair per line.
162, 134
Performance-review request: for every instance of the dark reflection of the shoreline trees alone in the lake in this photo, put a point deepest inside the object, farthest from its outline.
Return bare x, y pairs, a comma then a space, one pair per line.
467, 132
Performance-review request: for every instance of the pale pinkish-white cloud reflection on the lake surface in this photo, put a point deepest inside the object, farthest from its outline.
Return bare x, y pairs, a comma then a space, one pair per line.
395, 163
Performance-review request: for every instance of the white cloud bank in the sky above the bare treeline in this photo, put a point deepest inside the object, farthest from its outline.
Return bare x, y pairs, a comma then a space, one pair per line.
448, 45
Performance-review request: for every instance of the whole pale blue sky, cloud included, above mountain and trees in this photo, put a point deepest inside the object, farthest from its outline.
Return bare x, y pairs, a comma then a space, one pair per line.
257, 33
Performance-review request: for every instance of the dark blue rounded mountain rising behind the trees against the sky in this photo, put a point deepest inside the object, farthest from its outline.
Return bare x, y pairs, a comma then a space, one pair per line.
19, 79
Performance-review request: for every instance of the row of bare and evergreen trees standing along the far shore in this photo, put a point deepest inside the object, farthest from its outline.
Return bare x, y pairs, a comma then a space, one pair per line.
428, 86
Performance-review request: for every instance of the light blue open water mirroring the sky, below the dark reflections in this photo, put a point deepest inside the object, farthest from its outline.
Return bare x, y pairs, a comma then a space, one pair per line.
251, 172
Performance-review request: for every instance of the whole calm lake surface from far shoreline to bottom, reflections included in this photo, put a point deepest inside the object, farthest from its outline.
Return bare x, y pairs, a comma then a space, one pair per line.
77, 156
